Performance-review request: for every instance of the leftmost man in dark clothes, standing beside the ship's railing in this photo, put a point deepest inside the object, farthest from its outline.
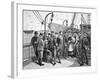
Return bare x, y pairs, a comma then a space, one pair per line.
35, 44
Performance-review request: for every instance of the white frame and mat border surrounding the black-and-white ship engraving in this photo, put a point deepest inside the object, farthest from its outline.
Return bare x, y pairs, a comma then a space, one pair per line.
17, 69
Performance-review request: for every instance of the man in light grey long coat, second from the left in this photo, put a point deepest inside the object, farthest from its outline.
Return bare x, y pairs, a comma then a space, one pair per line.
40, 49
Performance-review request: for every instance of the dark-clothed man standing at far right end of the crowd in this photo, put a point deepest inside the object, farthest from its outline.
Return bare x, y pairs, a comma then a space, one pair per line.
83, 50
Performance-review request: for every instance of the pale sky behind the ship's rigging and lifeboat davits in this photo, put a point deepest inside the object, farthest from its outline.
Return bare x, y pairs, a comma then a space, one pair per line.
31, 22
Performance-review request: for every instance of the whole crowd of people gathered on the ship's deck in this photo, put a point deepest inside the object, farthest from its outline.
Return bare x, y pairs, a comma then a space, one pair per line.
52, 46
